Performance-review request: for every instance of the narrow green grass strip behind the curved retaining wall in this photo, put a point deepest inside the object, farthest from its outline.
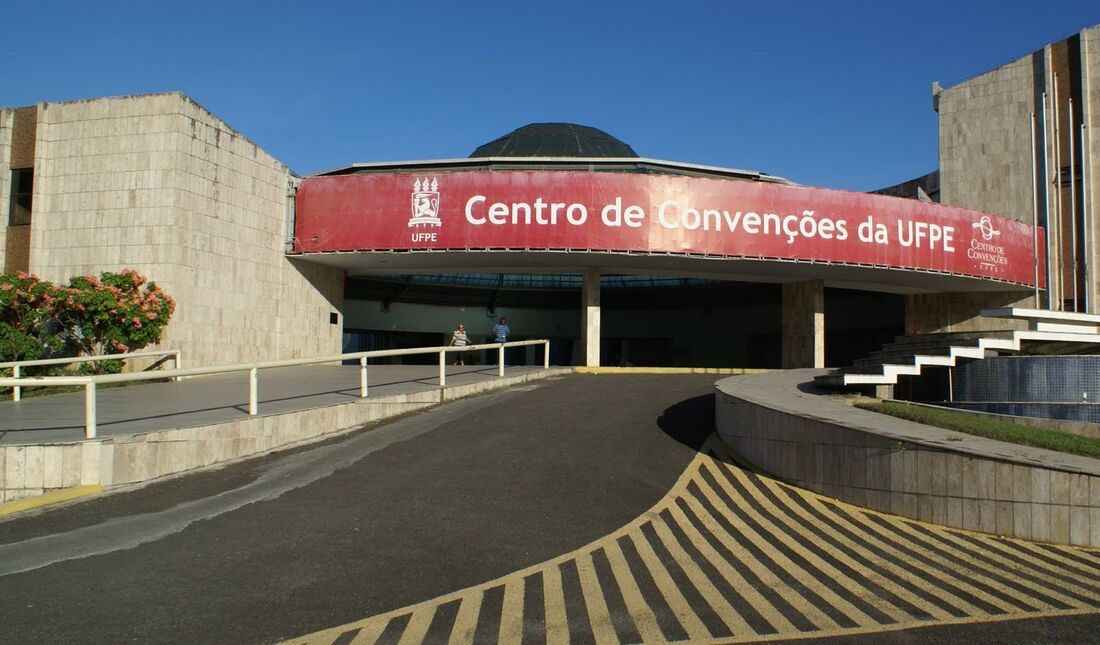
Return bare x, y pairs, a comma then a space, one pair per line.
991, 429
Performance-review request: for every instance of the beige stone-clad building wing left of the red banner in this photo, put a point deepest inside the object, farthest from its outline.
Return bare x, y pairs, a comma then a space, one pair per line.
160, 185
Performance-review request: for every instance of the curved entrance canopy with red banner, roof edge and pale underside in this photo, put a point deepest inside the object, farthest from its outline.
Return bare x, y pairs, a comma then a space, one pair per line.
644, 216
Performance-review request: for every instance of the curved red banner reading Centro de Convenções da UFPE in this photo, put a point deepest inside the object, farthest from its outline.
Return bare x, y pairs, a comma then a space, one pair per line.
663, 214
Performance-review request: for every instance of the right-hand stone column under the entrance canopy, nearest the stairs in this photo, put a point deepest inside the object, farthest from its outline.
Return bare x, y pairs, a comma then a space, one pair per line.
805, 325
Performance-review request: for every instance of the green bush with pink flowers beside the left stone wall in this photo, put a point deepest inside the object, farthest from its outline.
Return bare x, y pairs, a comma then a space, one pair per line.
114, 313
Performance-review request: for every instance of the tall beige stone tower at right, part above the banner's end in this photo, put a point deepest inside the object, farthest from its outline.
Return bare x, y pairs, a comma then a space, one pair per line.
986, 159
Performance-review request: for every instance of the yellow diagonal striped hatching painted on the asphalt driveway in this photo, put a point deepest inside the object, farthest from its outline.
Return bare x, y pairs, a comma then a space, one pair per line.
975, 575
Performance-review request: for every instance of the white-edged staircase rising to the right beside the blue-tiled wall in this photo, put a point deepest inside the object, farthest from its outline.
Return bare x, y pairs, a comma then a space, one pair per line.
1049, 333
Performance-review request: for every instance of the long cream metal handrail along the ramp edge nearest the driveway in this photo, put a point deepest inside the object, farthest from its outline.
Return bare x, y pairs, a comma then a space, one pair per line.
90, 382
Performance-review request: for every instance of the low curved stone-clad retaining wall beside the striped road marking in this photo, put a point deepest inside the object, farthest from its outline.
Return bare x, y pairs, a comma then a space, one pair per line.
782, 425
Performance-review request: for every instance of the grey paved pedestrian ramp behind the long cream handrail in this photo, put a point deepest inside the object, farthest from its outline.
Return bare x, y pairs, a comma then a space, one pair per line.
208, 400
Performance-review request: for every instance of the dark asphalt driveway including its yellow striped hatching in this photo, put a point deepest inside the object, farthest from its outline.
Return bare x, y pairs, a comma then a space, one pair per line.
576, 510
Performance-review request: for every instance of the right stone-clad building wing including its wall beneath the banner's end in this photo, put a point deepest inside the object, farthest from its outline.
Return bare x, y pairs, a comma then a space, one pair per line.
1022, 141
